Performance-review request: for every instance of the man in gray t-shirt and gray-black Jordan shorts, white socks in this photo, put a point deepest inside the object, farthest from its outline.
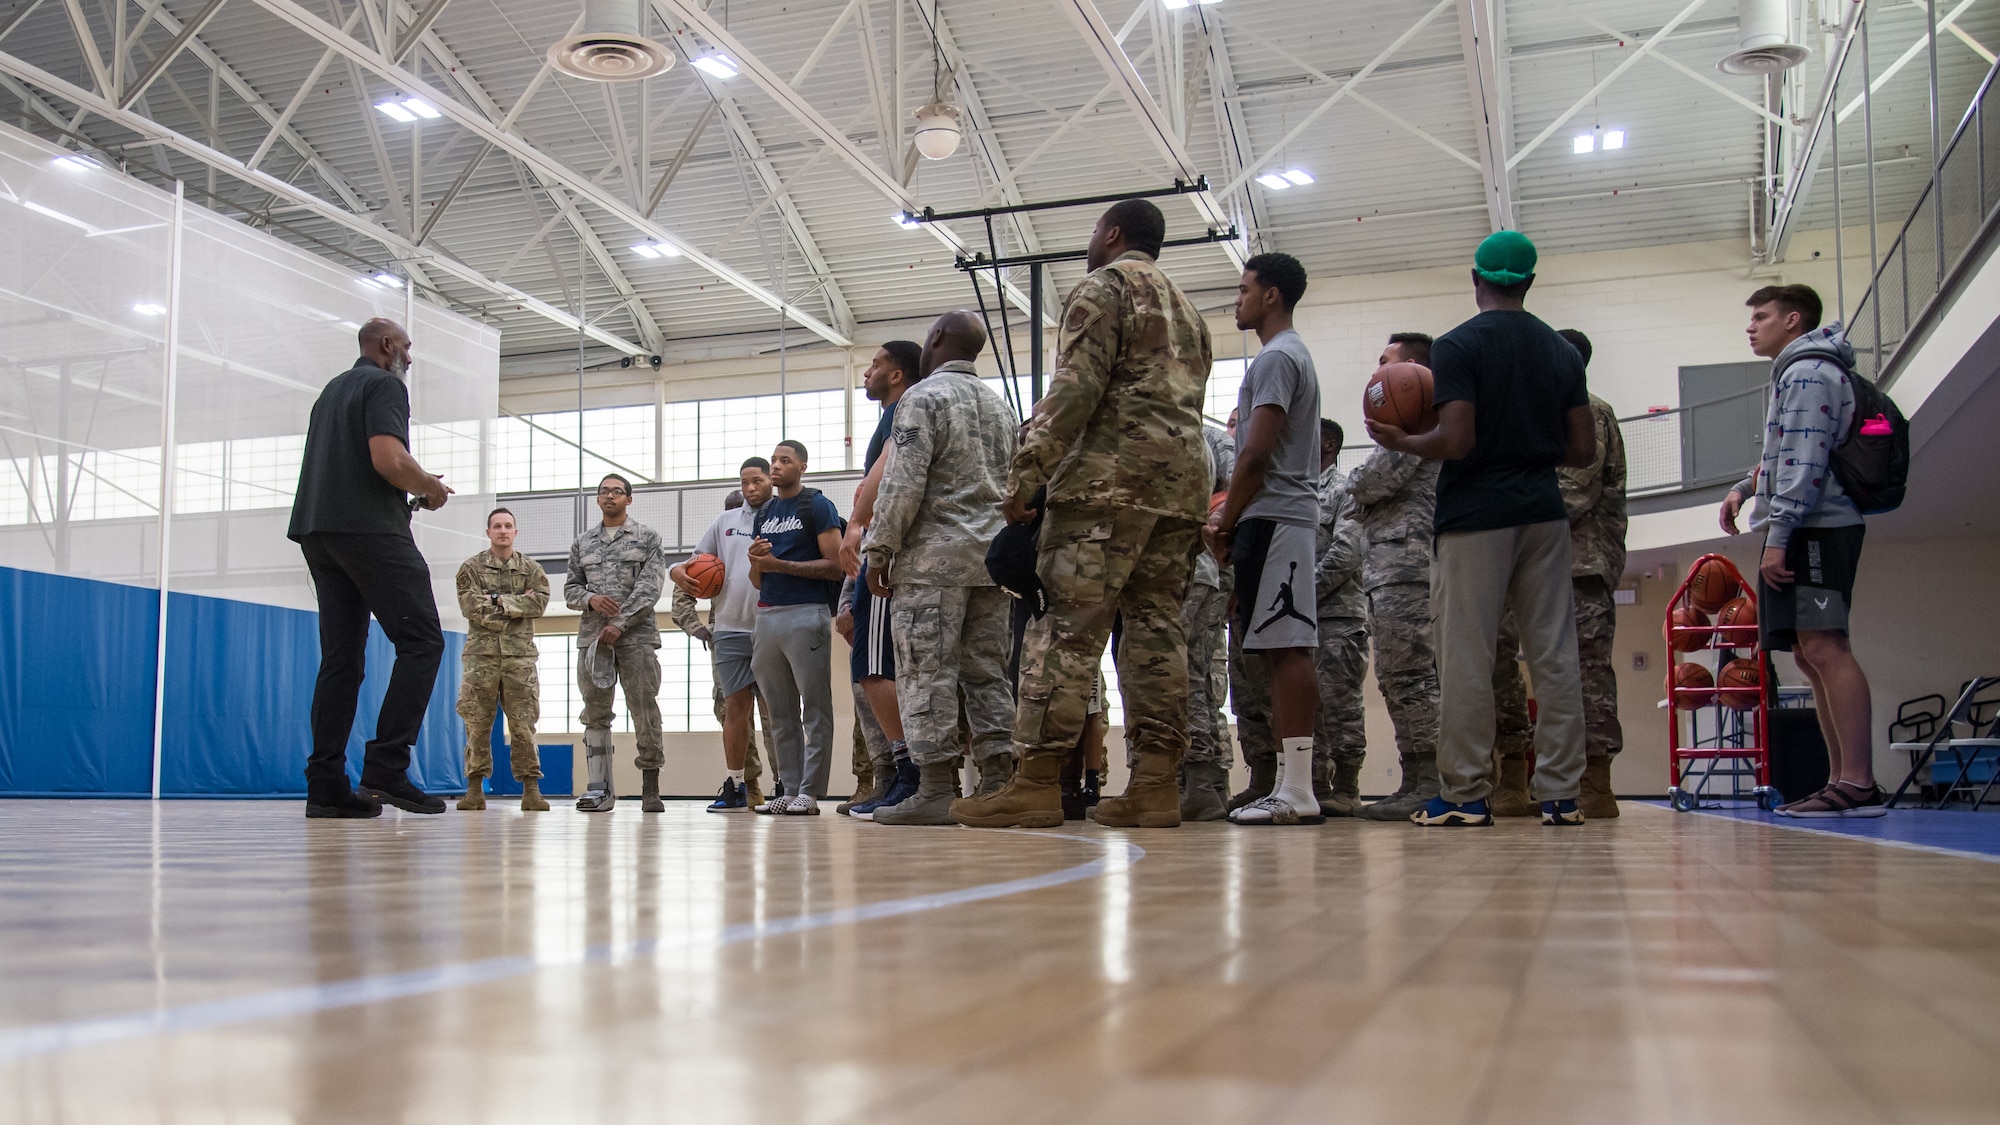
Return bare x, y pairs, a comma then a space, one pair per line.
1269, 529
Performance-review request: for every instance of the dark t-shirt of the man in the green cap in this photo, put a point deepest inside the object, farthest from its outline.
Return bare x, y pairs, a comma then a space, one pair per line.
1523, 379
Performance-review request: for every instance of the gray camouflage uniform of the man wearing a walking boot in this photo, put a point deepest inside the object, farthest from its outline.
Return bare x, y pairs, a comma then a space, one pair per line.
631, 570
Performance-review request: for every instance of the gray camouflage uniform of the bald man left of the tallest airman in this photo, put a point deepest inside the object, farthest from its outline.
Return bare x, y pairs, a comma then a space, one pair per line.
937, 513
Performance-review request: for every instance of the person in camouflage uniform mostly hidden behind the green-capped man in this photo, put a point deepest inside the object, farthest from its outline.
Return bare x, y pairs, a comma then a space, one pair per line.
1595, 499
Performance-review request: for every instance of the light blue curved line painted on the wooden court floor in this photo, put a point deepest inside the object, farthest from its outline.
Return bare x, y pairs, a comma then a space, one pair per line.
305, 1000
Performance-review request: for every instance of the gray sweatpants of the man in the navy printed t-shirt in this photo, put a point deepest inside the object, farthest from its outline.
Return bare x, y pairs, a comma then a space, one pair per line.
791, 654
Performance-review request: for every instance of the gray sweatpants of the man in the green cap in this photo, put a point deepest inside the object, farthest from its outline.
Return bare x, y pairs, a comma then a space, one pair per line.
1471, 586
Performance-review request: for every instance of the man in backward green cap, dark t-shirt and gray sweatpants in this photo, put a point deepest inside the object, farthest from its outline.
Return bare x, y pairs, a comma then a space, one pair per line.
1511, 409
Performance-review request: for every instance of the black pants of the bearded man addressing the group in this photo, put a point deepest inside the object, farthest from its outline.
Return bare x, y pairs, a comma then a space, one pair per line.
361, 576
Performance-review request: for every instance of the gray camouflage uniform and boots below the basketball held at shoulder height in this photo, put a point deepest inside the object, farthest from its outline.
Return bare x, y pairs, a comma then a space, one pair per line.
1395, 501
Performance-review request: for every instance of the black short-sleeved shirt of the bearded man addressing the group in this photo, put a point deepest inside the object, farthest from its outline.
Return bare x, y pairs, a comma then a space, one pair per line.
339, 487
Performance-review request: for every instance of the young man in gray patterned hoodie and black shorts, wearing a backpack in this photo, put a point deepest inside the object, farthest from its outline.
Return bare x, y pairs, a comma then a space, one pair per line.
1813, 535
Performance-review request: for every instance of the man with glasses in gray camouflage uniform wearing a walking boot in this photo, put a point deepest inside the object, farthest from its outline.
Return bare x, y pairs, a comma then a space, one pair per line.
621, 564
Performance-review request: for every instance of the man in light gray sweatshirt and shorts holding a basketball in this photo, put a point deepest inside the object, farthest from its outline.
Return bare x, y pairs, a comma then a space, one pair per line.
731, 624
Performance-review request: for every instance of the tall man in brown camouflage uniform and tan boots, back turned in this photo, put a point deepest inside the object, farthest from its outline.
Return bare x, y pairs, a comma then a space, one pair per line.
1119, 443
